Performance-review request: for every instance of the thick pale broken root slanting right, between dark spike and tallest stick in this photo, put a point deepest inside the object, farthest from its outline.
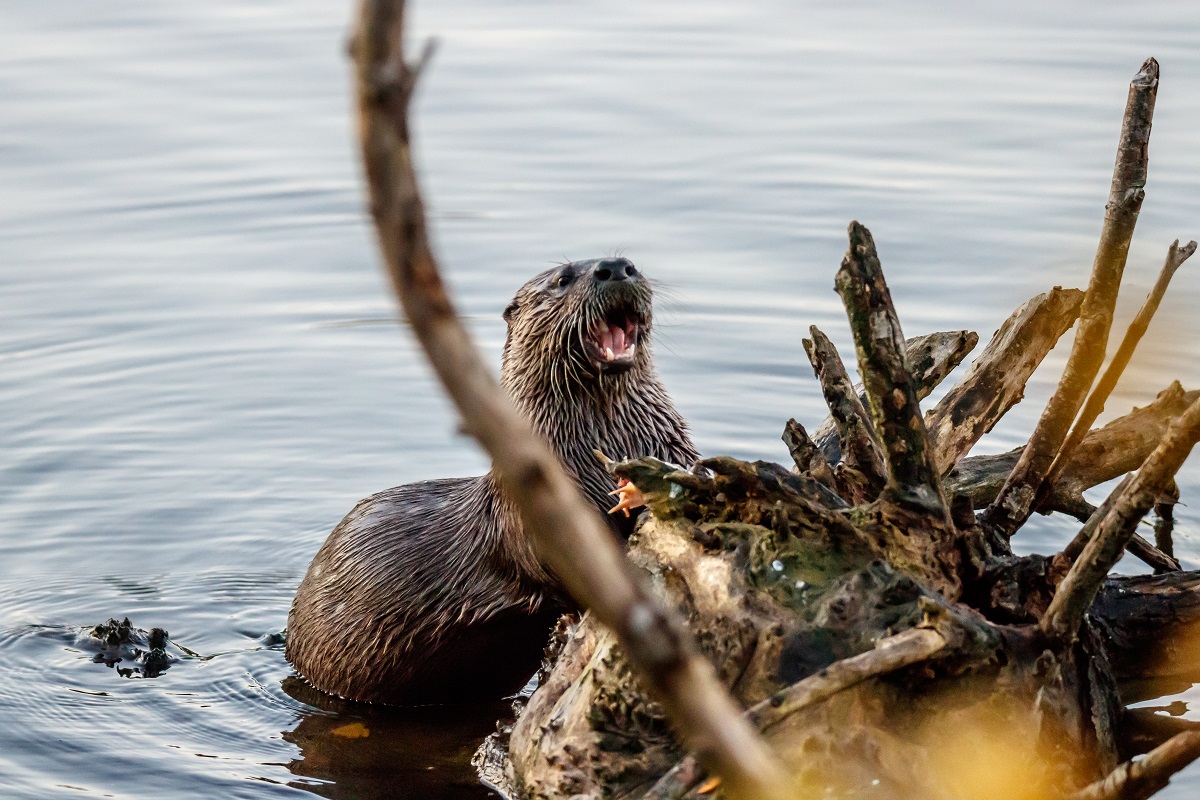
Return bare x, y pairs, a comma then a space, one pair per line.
995, 382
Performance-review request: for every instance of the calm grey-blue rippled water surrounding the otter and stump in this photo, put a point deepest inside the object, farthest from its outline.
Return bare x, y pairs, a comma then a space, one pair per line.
201, 371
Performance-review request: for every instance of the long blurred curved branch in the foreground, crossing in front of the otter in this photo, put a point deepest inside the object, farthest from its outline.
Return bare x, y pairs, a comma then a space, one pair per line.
561, 522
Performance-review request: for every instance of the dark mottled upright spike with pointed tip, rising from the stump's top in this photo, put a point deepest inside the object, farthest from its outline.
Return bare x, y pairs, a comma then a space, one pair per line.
887, 380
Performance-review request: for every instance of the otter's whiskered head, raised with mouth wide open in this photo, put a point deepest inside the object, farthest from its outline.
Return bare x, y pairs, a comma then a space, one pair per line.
572, 327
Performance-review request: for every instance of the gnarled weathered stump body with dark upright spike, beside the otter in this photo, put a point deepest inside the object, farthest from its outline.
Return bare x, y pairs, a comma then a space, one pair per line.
785, 585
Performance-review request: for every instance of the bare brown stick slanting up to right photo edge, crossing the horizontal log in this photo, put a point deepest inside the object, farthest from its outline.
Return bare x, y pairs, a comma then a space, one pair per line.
1113, 532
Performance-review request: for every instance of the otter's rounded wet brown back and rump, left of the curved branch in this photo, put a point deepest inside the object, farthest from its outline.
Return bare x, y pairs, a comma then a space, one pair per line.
407, 594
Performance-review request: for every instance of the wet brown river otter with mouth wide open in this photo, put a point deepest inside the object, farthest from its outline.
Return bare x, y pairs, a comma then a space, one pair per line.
430, 592
